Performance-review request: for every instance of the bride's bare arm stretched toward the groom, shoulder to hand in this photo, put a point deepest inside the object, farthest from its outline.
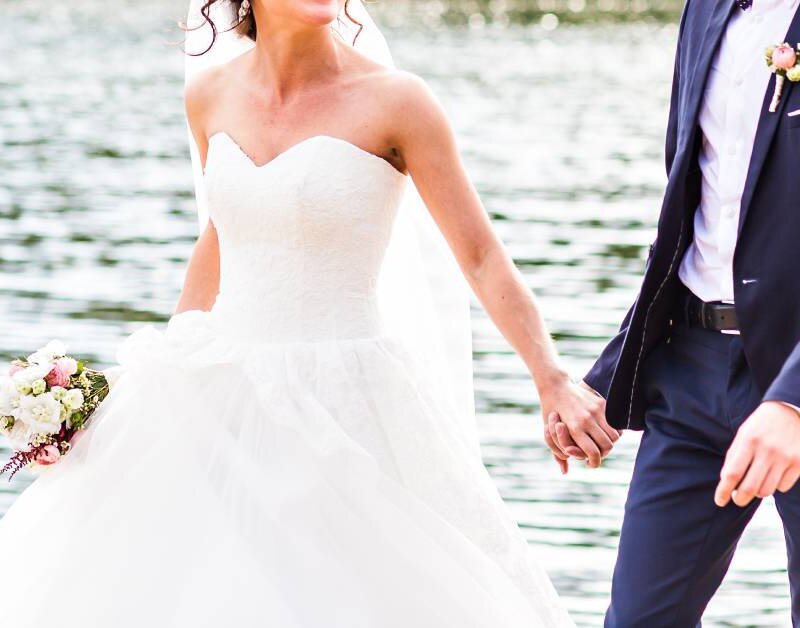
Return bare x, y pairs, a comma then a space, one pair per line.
427, 146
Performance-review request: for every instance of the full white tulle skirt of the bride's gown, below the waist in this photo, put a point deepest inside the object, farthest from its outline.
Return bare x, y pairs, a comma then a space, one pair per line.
263, 484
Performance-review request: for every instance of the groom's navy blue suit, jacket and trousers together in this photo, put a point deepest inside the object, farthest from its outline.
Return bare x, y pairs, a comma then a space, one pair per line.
689, 390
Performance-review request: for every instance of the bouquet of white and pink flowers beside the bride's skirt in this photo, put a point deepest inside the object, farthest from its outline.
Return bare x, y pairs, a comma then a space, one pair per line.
44, 401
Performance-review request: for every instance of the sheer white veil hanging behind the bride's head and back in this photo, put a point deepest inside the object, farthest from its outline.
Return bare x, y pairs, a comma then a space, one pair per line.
424, 298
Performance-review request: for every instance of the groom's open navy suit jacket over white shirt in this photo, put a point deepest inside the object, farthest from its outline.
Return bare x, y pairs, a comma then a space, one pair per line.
766, 263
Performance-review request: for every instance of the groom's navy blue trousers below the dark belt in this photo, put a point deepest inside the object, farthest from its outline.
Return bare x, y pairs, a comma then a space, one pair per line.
676, 544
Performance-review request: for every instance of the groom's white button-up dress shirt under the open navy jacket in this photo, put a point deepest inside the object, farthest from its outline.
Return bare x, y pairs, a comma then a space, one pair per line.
729, 115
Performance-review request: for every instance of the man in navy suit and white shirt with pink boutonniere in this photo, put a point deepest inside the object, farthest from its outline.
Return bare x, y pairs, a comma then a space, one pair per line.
707, 362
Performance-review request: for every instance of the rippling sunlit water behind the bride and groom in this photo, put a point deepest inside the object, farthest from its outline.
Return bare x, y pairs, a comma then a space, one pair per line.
561, 128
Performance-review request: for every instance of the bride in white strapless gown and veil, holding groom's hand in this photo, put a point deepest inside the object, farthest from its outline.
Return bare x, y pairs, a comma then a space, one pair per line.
280, 456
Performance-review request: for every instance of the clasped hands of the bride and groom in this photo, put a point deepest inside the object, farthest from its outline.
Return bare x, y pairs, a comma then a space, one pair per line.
575, 424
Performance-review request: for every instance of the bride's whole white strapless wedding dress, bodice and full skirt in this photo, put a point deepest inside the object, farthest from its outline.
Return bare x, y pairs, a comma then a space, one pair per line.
278, 461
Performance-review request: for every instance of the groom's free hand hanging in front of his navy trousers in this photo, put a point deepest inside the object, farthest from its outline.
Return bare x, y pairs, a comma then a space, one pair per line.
764, 456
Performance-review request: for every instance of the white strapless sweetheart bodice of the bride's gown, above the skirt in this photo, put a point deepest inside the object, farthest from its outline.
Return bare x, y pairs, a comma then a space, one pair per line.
301, 238
